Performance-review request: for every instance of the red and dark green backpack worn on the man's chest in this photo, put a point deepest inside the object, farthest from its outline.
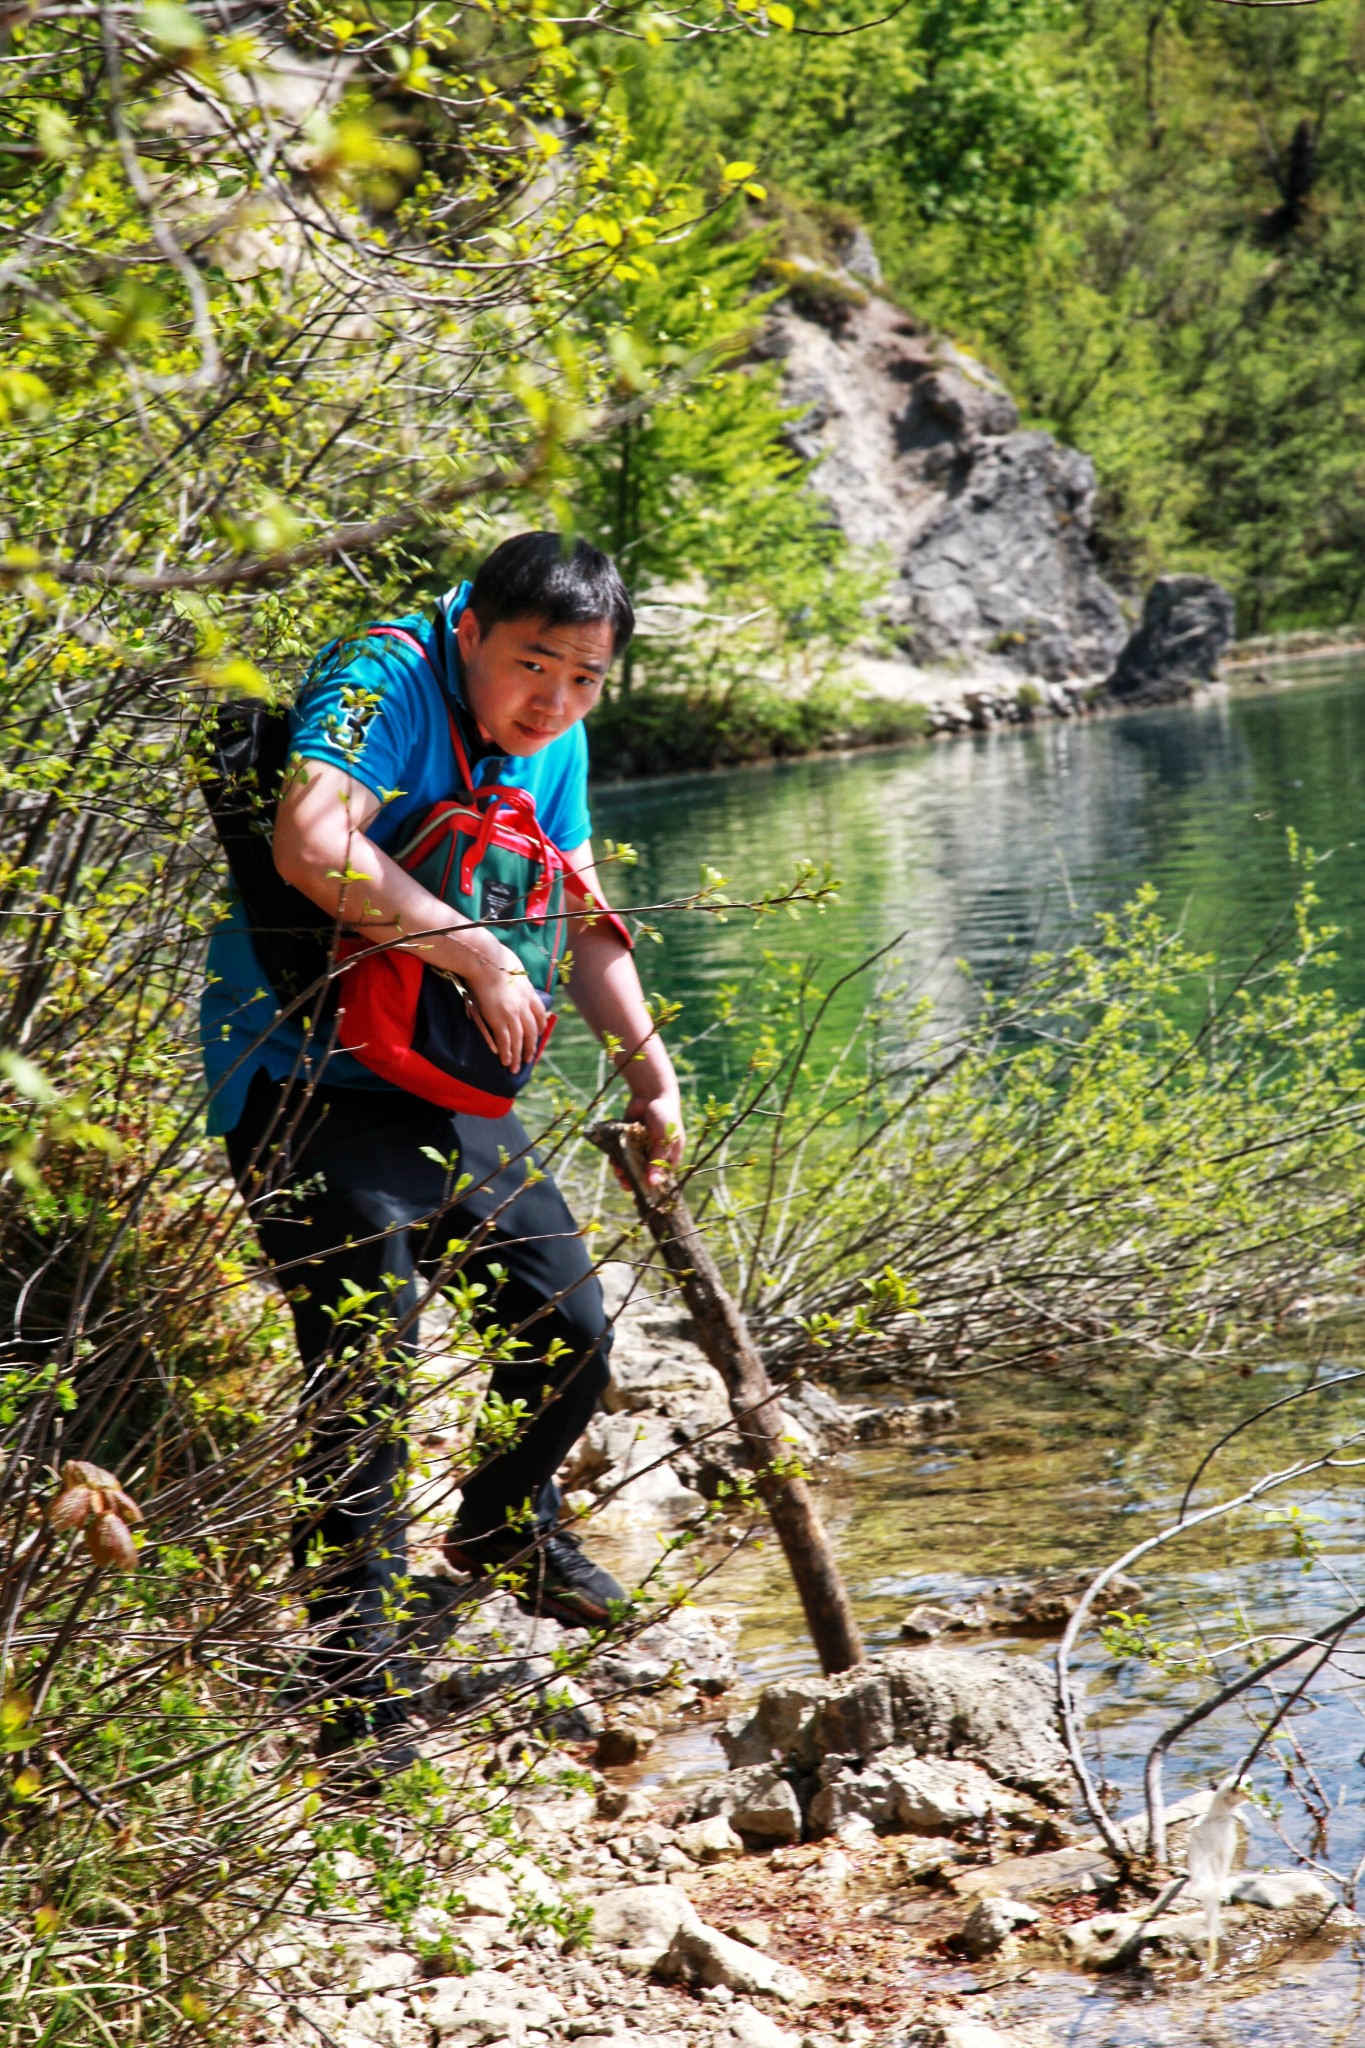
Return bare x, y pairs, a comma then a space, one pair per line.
486, 855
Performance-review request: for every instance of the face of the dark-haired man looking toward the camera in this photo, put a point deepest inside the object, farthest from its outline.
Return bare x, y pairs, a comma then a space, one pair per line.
527, 683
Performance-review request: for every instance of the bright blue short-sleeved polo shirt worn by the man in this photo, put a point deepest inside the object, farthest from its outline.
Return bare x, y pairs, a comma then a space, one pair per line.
378, 712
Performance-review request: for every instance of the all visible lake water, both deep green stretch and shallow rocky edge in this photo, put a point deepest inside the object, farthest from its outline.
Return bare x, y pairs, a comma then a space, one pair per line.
979, 851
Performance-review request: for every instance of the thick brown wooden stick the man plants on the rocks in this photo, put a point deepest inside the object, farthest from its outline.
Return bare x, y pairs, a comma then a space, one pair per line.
728, 1342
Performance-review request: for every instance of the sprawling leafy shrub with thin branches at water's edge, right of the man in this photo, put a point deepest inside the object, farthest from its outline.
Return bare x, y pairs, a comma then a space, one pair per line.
1120, 1164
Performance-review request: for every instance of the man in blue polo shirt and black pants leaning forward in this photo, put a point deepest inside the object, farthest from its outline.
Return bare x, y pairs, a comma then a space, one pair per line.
361, 1191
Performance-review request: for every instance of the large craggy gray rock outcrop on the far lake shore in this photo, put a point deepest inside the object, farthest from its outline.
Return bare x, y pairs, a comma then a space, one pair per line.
920, 452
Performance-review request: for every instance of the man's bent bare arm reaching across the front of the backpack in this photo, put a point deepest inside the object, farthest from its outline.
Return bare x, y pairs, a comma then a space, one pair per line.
320, 847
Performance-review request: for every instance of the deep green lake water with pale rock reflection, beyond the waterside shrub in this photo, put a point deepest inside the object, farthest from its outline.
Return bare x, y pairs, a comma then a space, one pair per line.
981, 849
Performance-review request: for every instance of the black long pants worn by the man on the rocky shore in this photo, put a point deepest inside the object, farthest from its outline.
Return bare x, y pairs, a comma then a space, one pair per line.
355, 1197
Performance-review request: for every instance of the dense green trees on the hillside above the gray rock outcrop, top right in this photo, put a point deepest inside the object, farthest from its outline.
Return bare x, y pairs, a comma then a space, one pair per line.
1149, 220
